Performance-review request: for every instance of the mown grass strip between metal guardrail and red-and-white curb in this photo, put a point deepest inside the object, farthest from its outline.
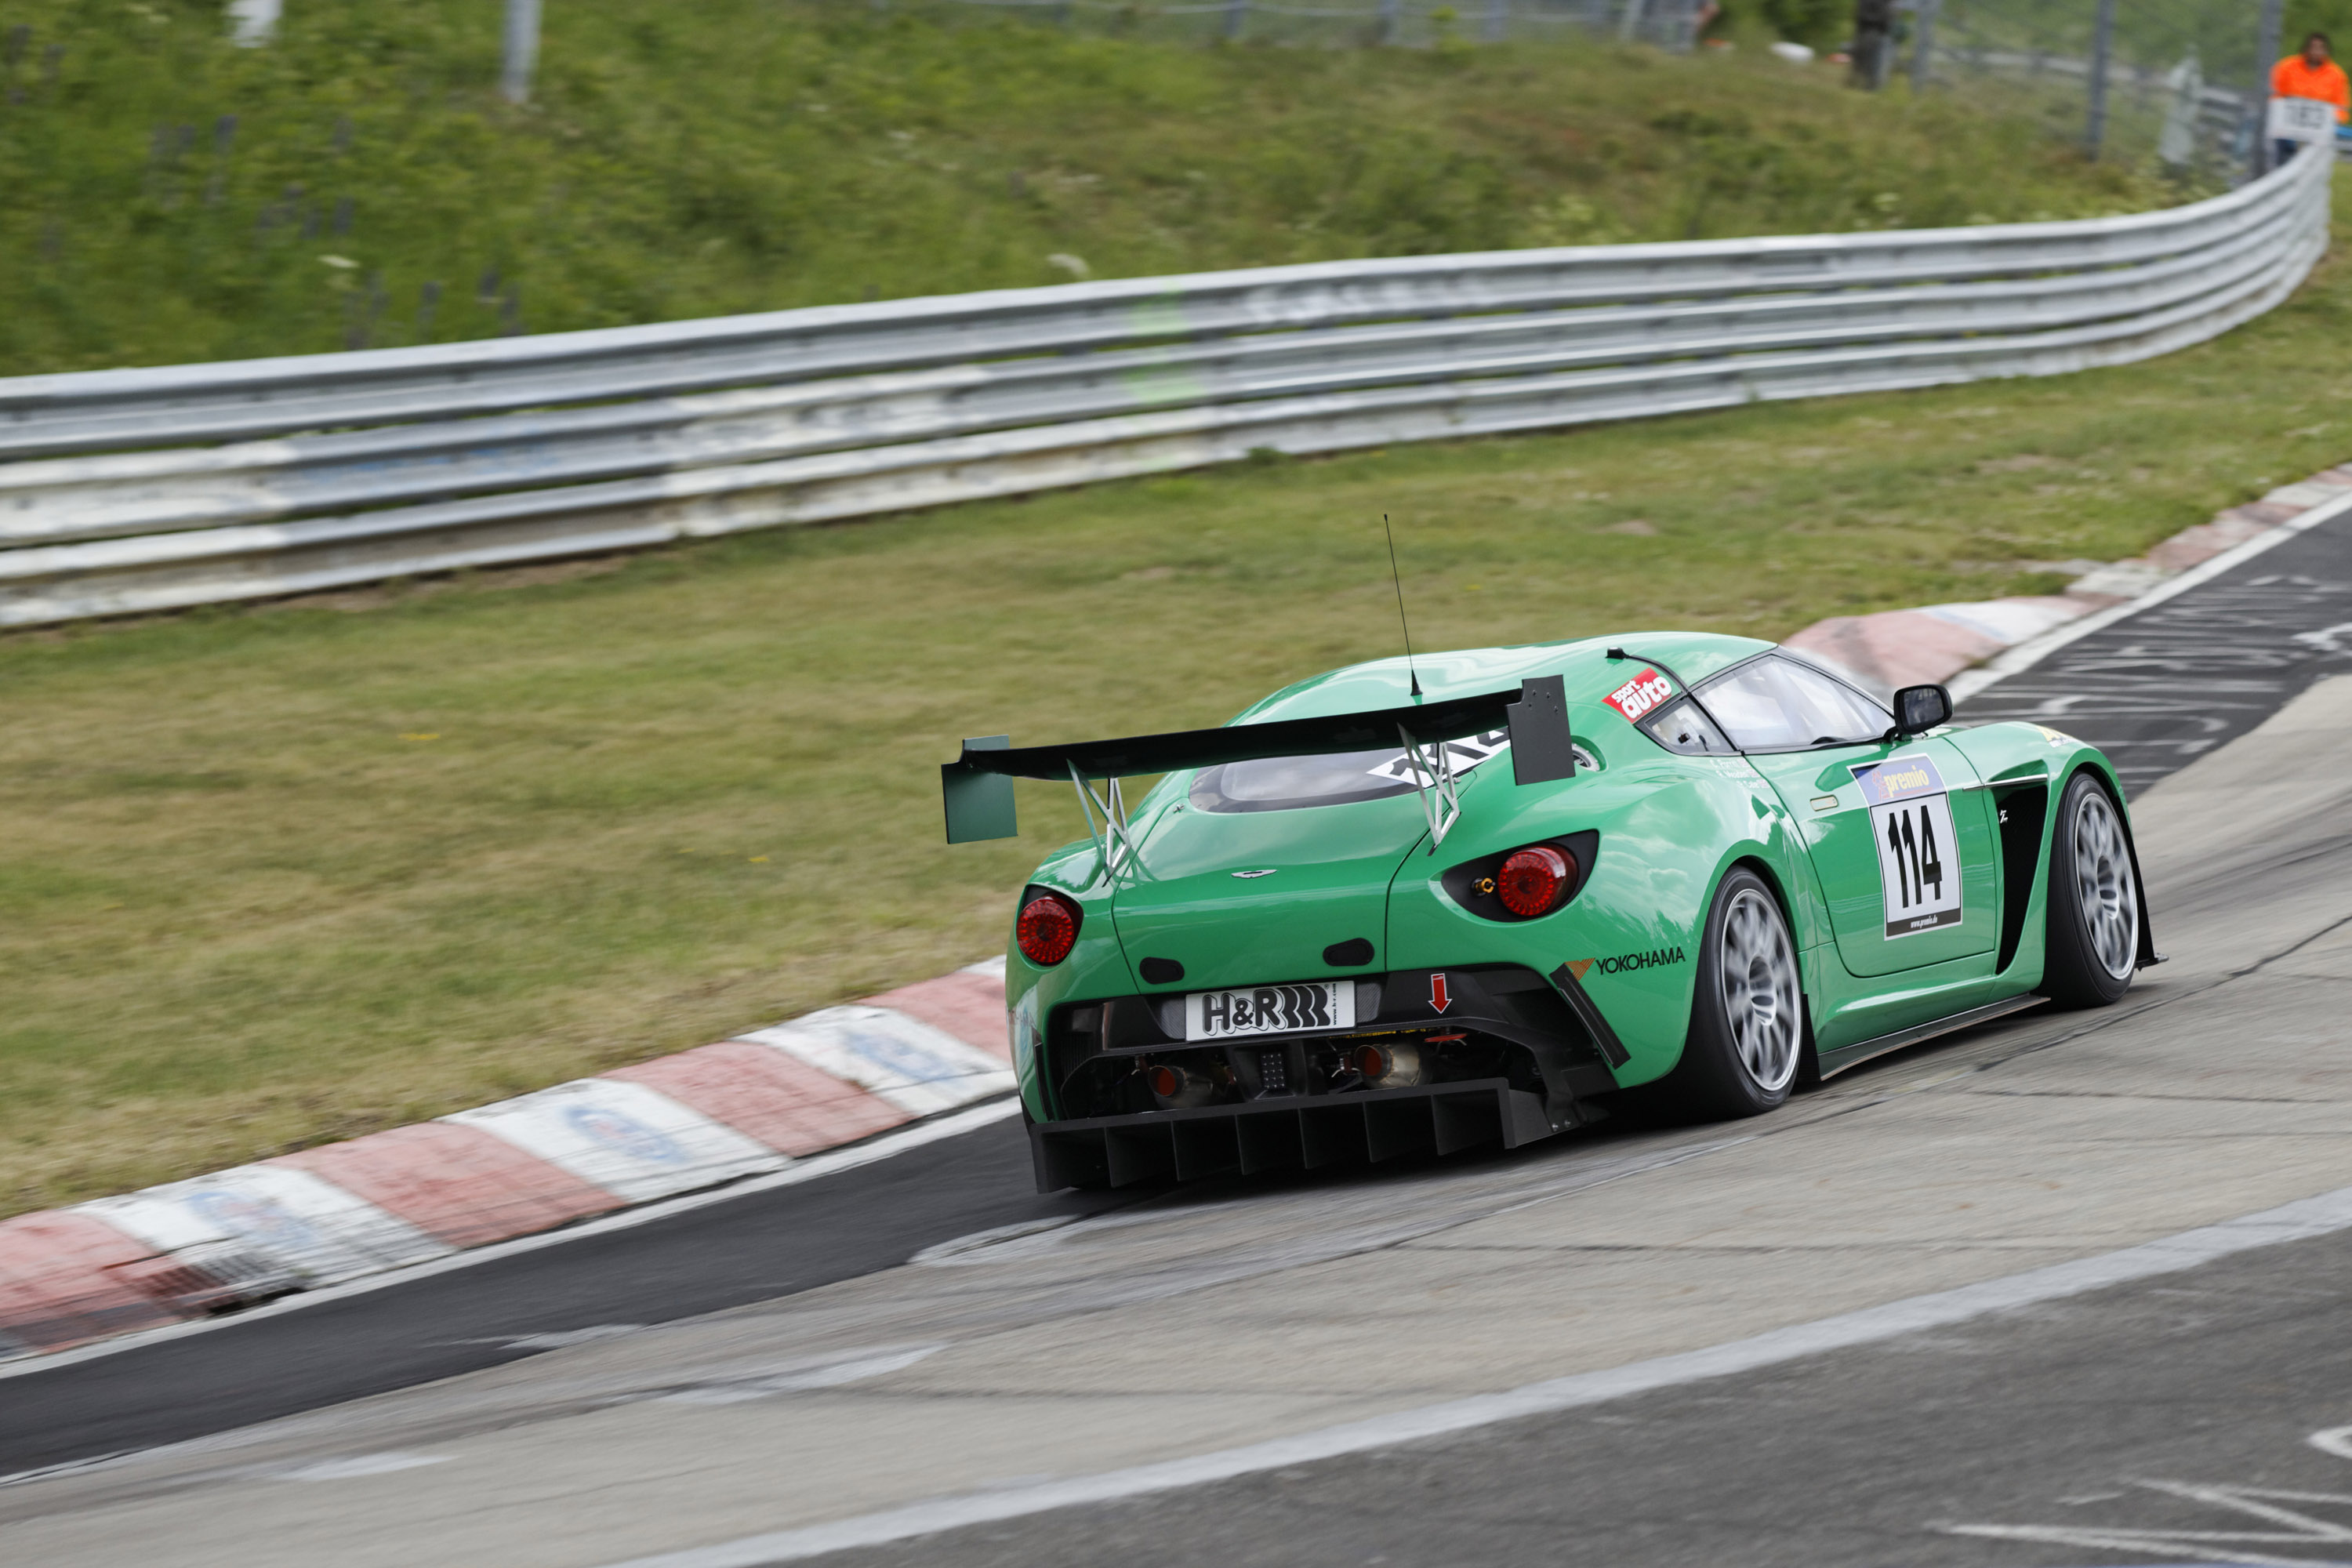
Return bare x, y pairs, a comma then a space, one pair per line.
290, 873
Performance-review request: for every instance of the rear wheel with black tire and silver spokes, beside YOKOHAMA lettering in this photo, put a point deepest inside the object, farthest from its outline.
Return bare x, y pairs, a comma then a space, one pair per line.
1749, 1040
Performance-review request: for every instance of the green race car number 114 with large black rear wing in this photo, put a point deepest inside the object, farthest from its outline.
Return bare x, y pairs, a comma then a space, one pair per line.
1391, 913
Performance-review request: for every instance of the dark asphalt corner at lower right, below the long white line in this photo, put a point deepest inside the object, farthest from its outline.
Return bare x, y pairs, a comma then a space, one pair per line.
2165, 1421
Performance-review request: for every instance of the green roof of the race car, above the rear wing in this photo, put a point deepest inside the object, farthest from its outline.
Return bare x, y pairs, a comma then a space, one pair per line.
1584, 662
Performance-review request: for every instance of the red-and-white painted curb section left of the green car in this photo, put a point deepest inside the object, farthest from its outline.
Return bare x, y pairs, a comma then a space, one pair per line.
570, 1153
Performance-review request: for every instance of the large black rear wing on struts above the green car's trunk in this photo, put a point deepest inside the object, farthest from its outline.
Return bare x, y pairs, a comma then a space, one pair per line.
980, 786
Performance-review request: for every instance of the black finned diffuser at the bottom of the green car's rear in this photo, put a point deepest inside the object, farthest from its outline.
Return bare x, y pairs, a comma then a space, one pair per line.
1285, 1134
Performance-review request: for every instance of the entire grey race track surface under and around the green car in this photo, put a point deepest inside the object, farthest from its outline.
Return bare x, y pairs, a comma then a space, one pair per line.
761, 1367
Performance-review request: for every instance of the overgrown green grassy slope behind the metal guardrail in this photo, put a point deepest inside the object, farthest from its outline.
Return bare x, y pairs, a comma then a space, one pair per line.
359, 182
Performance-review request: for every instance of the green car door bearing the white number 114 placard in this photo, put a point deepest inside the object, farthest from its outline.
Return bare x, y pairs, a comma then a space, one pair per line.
1904, 850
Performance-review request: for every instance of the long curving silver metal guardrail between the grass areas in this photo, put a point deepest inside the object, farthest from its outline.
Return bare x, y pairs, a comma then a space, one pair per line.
347, 469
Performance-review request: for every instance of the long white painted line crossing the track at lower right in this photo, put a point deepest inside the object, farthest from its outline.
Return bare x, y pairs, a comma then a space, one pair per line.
2299, 1221
